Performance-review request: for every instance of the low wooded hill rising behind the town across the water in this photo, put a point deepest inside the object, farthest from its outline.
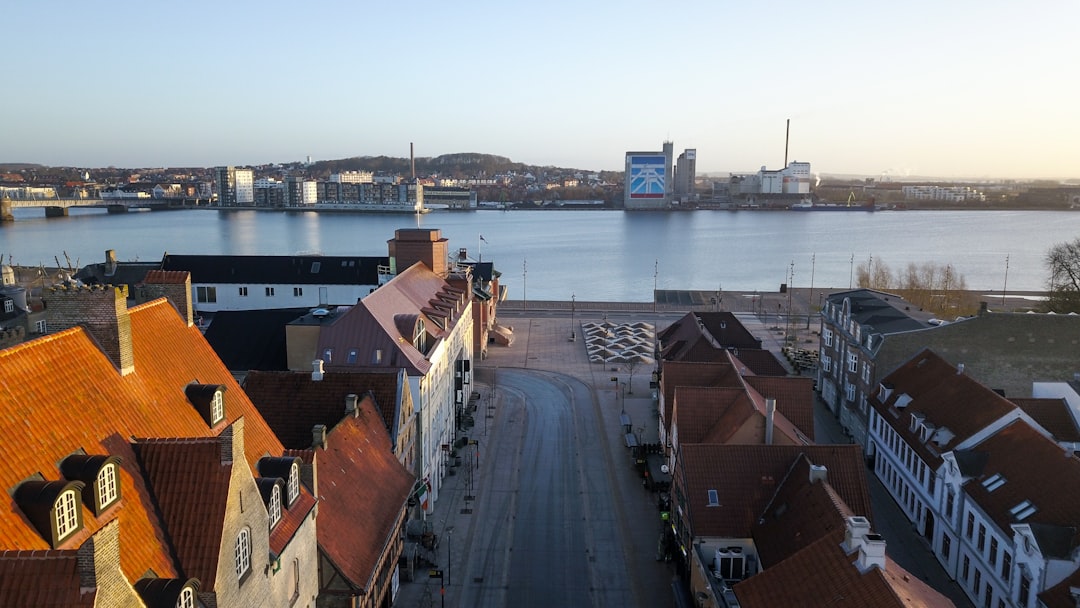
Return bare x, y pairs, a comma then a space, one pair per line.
458, 165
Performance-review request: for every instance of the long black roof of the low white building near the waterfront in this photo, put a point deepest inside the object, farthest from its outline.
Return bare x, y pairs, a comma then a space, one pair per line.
277, 271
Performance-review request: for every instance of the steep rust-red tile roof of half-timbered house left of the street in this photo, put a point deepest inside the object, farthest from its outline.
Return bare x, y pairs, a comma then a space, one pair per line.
363, 491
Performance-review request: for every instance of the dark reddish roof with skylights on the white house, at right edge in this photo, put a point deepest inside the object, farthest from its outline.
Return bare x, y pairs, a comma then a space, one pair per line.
1035, 469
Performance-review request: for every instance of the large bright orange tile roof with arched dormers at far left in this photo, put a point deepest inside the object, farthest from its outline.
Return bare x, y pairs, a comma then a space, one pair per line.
61, 394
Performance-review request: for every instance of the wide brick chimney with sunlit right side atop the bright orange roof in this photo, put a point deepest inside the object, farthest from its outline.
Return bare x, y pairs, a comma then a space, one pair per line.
103, 312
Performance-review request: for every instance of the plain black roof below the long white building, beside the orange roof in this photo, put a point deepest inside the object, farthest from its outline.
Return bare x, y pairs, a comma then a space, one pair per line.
252, 340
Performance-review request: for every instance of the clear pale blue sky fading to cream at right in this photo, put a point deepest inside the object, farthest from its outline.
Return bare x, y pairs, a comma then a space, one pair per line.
960, 89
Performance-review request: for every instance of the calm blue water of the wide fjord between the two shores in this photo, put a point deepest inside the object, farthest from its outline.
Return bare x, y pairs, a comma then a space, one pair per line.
595, 255
